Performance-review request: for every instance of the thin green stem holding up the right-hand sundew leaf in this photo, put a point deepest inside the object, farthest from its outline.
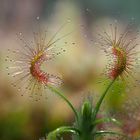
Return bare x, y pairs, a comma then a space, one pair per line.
97, 107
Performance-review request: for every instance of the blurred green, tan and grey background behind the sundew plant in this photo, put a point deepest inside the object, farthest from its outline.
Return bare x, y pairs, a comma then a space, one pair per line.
21, 117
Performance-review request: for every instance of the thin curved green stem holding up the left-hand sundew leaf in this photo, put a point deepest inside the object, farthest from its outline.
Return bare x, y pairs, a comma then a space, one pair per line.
64, 98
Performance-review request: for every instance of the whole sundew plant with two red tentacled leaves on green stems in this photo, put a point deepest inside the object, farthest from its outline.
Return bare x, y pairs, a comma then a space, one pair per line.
121, 48
